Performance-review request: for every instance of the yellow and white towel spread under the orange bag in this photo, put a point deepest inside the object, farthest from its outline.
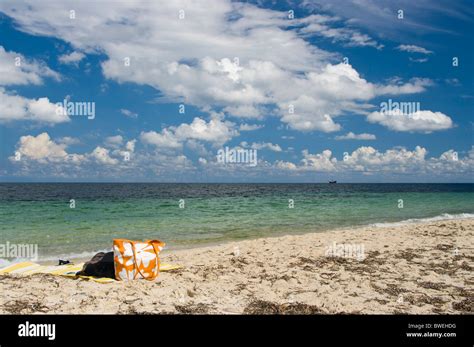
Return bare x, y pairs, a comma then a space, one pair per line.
69, 270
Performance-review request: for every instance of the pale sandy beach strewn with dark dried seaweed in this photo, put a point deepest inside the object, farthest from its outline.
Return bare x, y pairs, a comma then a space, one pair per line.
423, 268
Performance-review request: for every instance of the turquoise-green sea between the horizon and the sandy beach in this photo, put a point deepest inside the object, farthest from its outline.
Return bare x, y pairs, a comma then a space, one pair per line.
41, 213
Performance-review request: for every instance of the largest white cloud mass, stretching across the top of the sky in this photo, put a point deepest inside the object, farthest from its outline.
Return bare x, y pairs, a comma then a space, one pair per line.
254, 65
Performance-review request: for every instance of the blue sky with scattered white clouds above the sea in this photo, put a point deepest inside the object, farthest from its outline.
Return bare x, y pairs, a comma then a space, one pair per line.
305, 92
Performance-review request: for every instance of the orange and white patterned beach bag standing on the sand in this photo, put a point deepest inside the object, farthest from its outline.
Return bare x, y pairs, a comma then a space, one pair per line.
137, 259
